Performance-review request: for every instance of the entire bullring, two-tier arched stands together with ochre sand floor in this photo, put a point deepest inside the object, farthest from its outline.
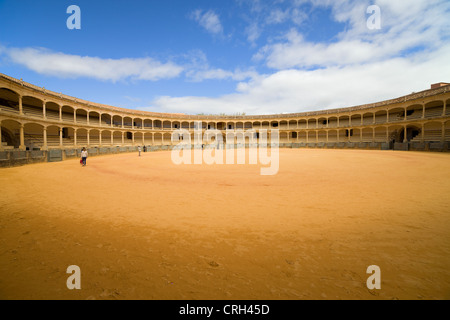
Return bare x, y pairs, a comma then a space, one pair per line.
357, 186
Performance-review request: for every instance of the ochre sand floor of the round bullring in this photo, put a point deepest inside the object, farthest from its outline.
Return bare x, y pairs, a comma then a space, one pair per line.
144, 228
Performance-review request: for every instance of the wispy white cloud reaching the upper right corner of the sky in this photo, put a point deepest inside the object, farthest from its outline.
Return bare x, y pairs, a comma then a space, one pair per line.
406, 26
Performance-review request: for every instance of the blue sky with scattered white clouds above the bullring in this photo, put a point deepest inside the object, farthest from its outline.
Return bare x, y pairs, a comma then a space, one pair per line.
228, 56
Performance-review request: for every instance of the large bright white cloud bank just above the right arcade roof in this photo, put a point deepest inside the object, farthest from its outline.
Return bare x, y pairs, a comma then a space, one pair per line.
293, 90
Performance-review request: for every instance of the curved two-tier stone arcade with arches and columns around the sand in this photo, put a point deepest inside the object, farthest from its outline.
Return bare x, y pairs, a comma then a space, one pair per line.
33, 118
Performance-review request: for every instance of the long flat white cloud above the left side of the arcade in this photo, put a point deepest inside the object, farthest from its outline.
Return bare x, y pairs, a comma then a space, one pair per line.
63, 65
